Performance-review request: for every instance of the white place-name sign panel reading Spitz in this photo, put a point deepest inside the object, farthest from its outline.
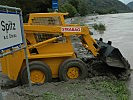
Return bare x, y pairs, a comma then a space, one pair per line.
10, 30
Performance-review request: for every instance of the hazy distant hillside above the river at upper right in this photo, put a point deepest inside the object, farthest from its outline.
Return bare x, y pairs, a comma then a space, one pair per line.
108, 6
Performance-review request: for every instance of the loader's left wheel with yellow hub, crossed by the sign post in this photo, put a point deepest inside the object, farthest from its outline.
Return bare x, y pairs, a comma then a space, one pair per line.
39, 73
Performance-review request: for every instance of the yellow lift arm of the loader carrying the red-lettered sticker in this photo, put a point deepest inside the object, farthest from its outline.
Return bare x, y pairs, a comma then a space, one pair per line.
89, 42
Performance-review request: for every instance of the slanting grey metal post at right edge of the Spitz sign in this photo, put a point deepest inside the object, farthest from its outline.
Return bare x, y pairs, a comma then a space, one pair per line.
25, 51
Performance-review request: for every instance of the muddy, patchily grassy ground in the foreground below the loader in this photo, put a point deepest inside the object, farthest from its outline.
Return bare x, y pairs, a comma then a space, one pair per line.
98, 88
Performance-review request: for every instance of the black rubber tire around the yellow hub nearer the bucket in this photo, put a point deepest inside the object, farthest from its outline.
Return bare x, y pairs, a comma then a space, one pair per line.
72, 63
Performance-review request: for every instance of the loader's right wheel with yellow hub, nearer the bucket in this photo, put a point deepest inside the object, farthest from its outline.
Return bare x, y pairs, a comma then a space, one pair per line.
72, 69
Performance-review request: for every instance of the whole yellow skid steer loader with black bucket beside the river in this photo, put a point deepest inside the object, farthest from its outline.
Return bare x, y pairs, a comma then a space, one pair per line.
51, 54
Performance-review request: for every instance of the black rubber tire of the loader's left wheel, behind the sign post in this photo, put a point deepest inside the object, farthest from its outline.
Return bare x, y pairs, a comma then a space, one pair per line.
39, 66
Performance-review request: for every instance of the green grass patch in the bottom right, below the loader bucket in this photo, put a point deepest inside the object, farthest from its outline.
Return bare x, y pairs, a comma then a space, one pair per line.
117, 88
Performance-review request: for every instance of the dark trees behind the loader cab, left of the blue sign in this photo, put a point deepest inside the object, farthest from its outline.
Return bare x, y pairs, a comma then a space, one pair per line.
29, 6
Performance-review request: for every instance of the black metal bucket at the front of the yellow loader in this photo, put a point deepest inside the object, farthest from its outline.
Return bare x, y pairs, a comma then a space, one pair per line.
112, 56
